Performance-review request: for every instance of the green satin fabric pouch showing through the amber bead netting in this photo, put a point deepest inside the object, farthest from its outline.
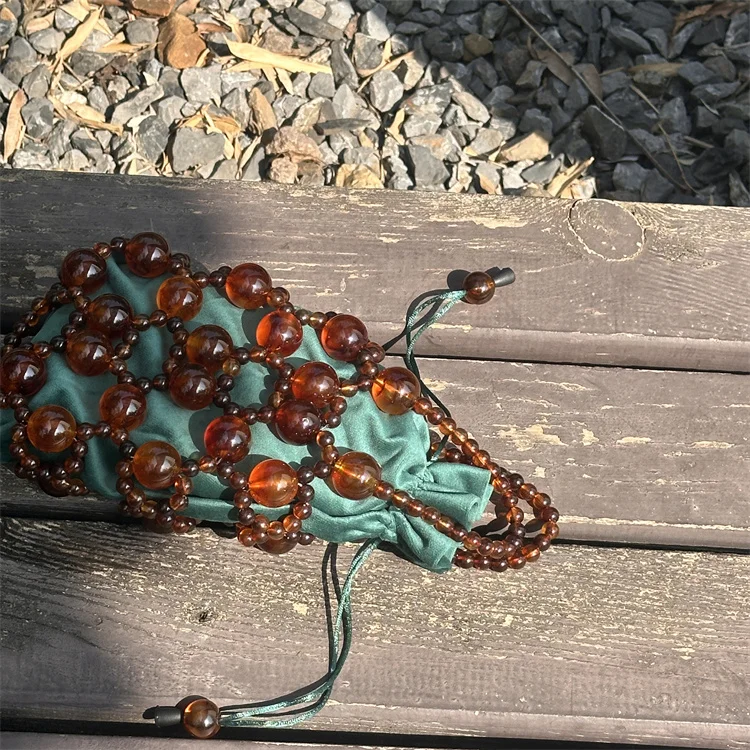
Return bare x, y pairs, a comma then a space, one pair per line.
399, 443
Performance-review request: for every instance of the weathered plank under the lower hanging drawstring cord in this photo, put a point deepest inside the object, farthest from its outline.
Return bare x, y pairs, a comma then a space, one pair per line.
103, 621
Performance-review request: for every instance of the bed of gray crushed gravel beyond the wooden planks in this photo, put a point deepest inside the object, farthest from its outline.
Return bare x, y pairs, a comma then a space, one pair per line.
438, 95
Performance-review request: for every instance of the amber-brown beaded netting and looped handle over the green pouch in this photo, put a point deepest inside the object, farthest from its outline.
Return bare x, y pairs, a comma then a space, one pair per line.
200, 370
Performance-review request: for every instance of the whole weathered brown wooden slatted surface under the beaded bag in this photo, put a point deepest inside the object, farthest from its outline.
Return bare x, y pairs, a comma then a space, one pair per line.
613, 373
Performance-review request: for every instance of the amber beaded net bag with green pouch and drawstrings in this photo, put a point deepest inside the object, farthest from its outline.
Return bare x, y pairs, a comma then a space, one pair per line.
208, 397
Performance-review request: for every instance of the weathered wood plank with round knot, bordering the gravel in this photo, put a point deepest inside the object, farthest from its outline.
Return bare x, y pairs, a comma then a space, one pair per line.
599, 282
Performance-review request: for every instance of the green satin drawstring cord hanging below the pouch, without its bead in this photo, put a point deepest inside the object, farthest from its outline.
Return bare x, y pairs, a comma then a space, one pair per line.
305, 706
